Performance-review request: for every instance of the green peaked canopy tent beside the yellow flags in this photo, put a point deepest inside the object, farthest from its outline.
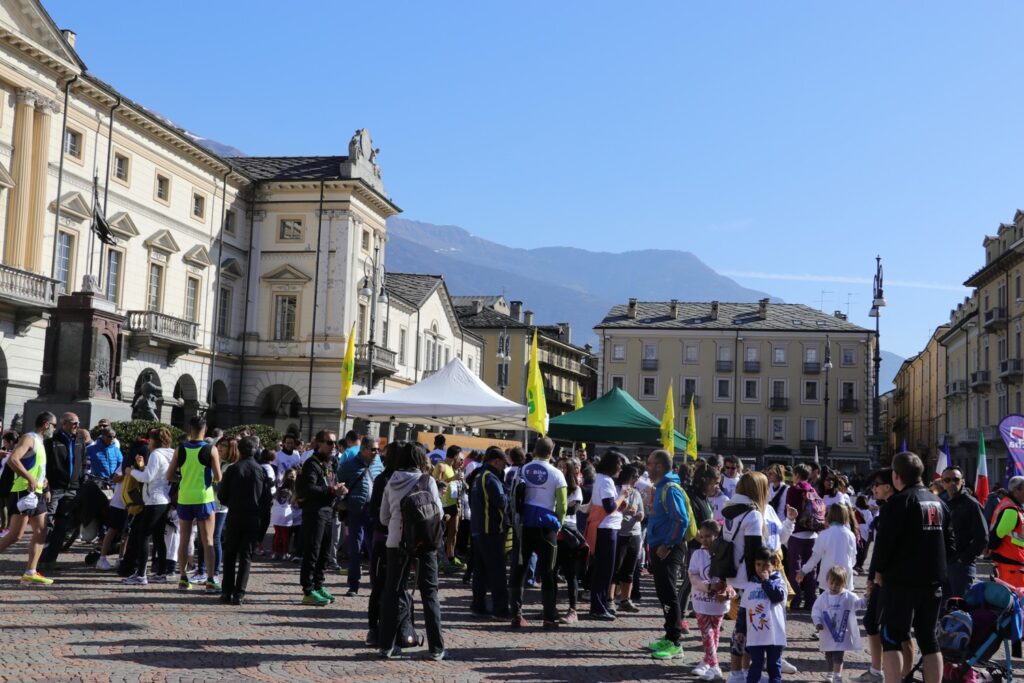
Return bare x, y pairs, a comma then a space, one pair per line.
616, 417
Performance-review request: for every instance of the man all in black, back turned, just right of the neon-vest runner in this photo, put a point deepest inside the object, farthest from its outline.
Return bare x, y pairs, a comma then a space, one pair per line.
241, 491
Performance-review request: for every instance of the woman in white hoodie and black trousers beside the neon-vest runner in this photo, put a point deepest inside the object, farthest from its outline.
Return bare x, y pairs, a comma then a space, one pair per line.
156, 497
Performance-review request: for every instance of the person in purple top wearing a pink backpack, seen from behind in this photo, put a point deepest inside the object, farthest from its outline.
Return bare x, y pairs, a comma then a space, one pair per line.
812, 520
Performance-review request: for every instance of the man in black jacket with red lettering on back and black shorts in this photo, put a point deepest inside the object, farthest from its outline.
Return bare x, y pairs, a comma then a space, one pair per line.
915, 538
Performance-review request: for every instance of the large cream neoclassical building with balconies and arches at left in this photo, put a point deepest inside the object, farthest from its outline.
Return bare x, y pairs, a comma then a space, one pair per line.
231, 284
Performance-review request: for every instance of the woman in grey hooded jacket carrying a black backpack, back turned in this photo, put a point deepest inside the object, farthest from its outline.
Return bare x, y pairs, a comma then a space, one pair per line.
412, 471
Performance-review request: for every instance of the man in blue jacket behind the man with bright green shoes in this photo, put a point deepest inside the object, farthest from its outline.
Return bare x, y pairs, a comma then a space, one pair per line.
358, 474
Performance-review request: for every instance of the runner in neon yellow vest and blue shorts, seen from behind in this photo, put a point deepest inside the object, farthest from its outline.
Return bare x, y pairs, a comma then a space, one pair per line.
198, 465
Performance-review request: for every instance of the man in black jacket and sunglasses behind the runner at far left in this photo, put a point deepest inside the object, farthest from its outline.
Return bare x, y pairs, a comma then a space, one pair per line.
66, 467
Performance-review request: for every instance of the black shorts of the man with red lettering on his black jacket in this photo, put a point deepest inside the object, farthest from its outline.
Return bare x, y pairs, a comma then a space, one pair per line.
906, 607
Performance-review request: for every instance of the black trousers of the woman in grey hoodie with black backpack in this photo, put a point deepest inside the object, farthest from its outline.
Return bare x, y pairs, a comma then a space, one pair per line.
396, 612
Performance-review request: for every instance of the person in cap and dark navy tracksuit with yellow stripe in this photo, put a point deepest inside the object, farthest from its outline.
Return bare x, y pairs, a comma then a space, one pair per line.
488, 504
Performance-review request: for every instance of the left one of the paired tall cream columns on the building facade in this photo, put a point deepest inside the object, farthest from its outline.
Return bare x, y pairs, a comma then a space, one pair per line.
20, 203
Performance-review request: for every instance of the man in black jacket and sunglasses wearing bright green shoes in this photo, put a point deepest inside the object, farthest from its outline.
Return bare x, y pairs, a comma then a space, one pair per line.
317, 493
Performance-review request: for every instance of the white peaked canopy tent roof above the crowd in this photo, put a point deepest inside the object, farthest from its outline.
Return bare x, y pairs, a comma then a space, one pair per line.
453, 397
